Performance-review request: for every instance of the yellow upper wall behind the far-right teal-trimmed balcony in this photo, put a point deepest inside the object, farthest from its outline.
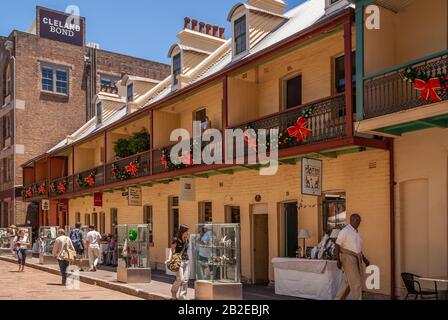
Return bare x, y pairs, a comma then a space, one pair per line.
418, 30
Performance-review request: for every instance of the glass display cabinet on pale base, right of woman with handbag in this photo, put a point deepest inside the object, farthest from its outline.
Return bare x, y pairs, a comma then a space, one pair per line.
217, 257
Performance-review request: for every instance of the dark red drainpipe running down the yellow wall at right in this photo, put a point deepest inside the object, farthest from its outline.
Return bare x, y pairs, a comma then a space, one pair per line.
392, 218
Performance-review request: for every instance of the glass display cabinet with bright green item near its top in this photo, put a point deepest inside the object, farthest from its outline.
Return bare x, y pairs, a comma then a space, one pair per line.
133, 253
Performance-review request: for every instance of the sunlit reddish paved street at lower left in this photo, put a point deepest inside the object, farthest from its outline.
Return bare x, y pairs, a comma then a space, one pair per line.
38, 285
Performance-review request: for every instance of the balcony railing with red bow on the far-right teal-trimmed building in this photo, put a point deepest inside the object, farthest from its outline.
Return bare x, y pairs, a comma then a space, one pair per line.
392, 91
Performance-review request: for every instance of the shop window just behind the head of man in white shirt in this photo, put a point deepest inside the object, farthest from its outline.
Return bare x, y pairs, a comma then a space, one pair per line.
334, 211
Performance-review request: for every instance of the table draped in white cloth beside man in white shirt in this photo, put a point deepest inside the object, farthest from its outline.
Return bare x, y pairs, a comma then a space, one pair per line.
308, 279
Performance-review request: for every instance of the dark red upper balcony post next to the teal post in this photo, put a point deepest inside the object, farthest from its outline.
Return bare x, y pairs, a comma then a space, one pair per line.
348, 76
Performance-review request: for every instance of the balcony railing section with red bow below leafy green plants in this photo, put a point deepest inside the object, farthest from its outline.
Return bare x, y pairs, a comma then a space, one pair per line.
129, 168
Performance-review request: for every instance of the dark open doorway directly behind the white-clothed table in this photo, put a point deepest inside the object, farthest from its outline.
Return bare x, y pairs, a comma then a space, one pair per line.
288, 233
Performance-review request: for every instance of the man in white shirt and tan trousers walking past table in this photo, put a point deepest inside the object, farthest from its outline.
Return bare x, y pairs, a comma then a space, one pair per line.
349, 256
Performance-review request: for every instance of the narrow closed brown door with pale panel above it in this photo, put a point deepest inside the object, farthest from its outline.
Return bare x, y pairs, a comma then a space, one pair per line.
260, 245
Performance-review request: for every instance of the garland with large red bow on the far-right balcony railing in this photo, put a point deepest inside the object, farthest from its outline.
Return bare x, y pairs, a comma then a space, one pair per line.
430, 87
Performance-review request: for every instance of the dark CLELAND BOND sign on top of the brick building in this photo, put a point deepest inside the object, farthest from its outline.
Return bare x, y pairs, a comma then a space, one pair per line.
59, 26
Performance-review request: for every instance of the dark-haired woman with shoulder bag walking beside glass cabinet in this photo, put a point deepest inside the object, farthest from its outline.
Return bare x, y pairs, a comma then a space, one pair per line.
178, 262
